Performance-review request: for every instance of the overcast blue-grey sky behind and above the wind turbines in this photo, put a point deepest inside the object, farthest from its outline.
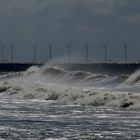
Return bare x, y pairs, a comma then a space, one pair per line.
25, 23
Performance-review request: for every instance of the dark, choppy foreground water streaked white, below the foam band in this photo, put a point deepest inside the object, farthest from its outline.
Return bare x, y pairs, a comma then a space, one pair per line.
39, 120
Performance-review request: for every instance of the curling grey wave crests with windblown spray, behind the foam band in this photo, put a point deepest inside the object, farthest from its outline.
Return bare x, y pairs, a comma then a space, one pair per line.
59, 75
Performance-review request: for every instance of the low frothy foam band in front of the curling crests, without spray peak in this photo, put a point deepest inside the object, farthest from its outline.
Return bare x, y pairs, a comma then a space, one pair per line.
83, 96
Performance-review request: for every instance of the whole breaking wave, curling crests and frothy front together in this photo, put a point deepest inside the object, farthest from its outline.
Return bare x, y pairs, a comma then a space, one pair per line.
73, 87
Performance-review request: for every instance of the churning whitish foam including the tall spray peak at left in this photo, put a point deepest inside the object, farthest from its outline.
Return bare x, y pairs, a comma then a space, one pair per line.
34, 86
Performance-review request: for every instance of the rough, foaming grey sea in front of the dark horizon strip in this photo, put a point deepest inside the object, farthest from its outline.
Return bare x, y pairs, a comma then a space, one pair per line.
54, 102
